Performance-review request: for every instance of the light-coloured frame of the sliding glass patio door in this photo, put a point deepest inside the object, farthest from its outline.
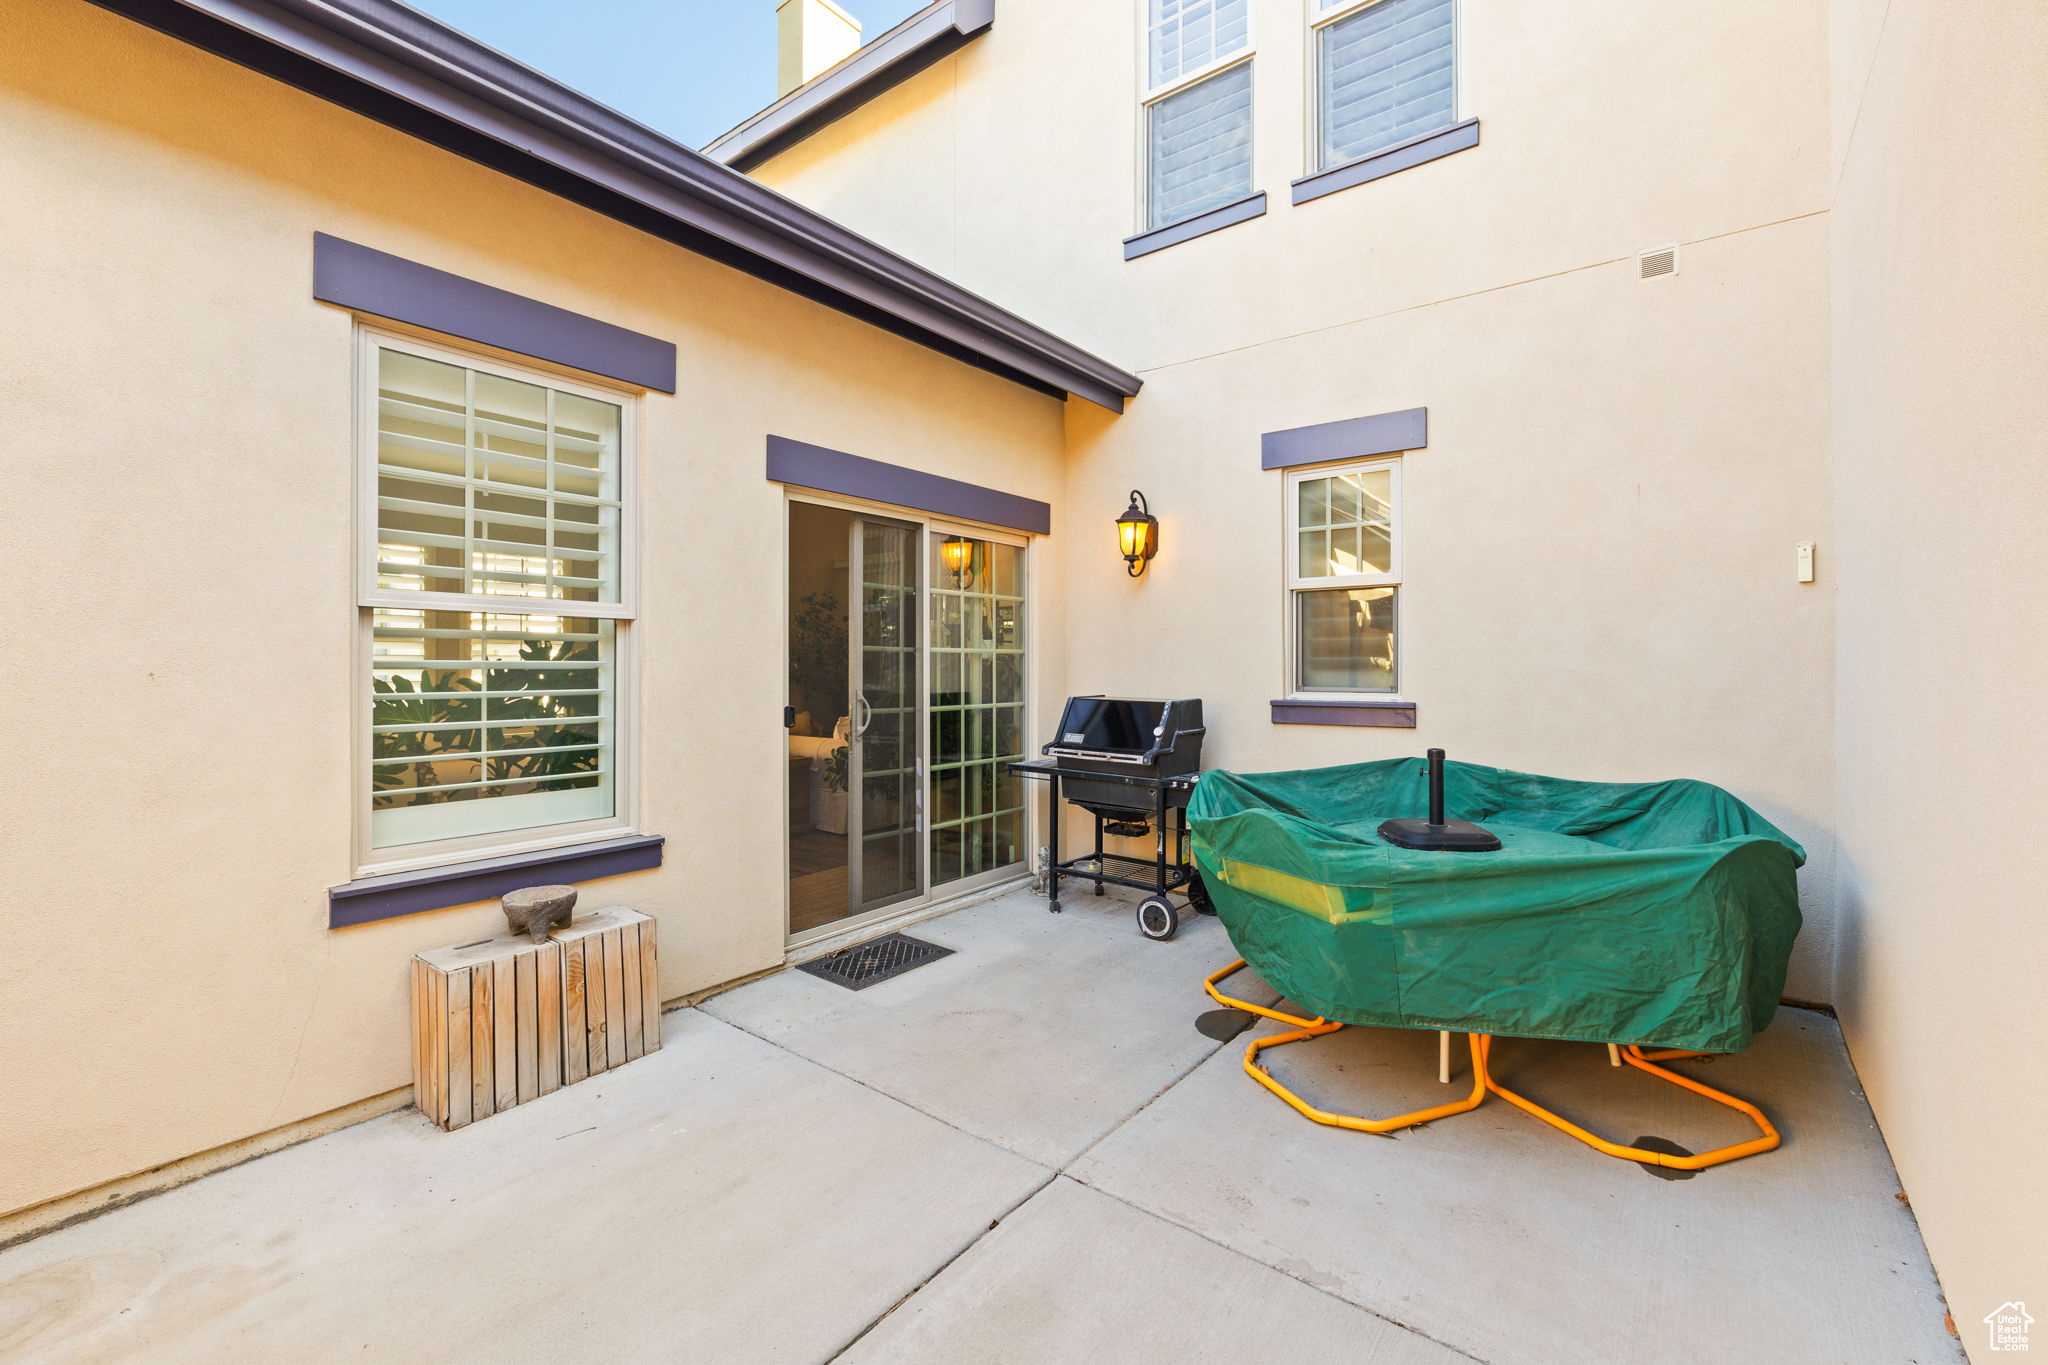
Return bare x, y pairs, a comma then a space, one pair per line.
927, 525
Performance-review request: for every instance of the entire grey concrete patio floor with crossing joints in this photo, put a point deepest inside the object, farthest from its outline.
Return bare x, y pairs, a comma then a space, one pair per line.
732, 1200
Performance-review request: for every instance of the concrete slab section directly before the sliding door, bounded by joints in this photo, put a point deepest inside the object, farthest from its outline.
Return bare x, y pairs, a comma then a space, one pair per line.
1041, 1032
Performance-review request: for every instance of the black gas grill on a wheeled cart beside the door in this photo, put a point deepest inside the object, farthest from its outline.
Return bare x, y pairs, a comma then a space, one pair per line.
1132, 764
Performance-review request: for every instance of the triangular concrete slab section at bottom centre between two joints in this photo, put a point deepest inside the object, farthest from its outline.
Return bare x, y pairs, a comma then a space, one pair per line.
1076, 1276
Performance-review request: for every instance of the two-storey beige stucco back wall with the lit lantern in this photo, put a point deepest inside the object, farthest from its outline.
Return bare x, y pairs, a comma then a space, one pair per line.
1601, 537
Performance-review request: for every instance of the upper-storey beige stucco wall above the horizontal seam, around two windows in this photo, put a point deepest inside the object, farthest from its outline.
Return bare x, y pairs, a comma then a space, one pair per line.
1605, 128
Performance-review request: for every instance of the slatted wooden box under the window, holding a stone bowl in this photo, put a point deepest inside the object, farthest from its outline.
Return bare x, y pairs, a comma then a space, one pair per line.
507, 1020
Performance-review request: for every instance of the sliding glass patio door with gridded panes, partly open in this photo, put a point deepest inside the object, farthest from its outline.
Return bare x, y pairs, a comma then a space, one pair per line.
906, 705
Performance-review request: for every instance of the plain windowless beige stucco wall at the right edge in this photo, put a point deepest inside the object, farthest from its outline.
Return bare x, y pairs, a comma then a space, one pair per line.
1940, 419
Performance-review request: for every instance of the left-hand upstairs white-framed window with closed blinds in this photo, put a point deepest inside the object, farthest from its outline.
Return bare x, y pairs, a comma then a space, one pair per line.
1197, 107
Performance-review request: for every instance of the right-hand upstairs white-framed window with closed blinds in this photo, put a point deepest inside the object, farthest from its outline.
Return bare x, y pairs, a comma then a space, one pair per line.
1385, 73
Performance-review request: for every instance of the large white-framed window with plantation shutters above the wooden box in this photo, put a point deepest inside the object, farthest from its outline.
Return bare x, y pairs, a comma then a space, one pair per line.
495, 595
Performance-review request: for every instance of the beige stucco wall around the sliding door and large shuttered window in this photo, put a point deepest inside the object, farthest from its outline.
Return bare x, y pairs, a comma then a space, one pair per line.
177, 576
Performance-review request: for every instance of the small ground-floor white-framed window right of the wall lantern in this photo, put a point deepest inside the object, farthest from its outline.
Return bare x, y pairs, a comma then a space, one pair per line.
1345, 578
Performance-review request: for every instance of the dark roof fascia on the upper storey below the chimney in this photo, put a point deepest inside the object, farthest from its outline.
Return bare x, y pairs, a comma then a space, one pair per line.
923, 40
